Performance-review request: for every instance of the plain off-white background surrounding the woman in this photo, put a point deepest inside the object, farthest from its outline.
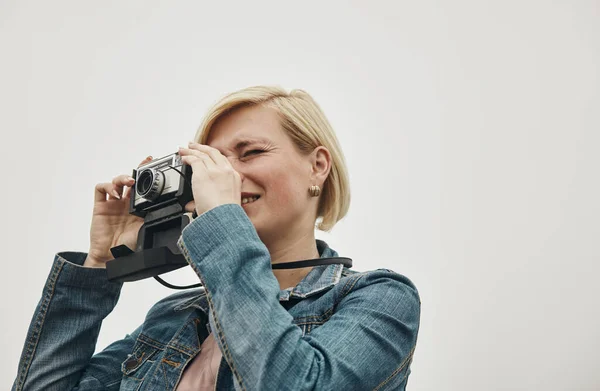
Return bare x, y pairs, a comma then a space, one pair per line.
471, 131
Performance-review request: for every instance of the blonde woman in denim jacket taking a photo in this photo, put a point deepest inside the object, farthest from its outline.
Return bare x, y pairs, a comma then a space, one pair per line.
266, 167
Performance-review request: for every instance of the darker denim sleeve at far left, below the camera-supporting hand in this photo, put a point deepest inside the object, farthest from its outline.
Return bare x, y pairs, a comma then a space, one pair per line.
62, 336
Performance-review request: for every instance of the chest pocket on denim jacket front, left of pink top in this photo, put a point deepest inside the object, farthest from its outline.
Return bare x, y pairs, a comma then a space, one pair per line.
138, 364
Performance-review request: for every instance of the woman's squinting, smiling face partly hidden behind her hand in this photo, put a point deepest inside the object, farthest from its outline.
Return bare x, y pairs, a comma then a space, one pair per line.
275, 176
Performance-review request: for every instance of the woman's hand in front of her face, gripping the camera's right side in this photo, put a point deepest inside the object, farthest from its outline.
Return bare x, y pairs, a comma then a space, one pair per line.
214, 181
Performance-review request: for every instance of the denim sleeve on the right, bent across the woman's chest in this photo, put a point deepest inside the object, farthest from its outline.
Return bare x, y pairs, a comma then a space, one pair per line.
367, 342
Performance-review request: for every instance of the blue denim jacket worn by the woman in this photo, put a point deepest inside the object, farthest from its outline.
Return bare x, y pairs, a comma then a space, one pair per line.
336, 330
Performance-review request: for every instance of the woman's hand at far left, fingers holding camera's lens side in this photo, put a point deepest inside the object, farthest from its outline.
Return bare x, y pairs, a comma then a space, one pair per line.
112, 224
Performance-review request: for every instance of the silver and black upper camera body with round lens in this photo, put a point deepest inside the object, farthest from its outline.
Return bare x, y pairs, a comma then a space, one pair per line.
161, 182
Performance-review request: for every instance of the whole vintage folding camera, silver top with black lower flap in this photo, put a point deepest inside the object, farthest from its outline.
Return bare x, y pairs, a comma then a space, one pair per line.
161, 191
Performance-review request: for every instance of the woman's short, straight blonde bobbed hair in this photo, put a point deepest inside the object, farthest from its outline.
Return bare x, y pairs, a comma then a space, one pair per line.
306, 125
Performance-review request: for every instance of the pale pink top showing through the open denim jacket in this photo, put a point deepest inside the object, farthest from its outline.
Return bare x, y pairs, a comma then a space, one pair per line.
201, 373
